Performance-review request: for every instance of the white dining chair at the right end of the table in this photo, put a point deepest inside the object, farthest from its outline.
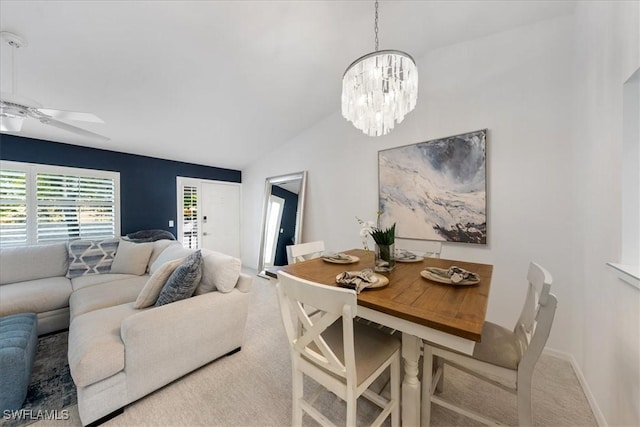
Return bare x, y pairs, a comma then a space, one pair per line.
505, 358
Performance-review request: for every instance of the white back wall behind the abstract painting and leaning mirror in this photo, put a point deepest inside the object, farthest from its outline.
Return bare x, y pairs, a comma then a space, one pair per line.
516, 84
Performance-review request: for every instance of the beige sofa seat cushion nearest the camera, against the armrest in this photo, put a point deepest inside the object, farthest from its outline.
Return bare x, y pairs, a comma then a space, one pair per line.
96, 350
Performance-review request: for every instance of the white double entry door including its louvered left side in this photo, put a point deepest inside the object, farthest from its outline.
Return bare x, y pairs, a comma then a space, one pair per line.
209, 215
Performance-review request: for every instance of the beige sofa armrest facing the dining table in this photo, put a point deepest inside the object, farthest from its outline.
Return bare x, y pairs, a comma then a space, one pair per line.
167, 342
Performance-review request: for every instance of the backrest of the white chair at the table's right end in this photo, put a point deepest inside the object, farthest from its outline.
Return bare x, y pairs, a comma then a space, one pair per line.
534, 325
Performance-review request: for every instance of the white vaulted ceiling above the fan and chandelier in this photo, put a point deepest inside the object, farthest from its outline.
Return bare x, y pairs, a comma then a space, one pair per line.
220, 83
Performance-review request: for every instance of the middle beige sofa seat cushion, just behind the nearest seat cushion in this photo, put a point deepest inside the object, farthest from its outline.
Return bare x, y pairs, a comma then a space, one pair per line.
105, 295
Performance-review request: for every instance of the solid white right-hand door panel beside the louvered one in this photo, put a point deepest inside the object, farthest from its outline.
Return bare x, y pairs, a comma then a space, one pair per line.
221, 217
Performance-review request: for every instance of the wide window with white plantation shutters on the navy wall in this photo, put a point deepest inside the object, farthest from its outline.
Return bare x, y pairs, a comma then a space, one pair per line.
42, 204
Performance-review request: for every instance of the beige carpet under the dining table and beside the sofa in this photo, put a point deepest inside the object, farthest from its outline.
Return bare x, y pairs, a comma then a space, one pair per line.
253, 388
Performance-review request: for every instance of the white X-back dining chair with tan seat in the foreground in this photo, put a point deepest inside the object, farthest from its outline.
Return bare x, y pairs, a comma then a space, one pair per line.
340, 355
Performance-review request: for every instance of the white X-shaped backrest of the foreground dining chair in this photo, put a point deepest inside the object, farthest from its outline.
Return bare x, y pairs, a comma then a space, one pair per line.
305, 331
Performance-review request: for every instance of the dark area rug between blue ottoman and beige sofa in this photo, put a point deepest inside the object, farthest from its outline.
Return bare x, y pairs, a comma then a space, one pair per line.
51, 388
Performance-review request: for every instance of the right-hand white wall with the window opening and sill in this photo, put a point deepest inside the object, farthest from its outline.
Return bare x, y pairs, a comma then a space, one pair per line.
606, 310
